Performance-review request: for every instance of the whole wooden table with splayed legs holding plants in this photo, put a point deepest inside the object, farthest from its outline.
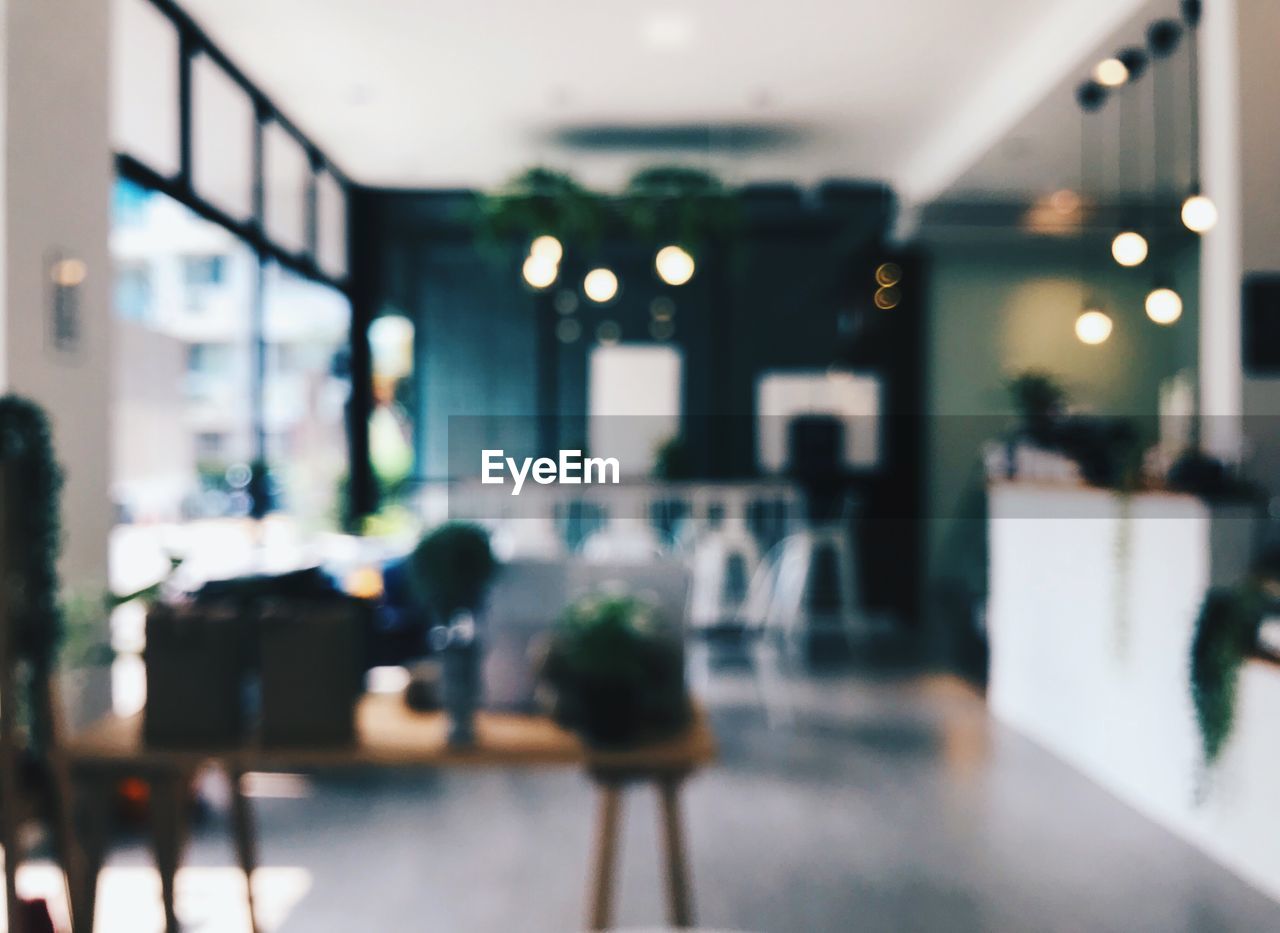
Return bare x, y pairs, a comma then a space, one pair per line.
394, 737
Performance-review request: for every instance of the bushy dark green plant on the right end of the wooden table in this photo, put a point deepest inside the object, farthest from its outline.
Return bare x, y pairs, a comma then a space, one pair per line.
615, 673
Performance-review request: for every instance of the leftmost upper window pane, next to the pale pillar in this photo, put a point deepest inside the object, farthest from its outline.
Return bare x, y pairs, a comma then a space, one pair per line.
145, 86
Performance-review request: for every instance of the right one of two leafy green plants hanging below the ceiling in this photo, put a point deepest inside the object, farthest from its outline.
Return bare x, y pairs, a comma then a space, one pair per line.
678, 204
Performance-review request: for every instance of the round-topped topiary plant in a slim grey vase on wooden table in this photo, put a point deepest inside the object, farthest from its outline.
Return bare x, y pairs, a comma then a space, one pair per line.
452, 569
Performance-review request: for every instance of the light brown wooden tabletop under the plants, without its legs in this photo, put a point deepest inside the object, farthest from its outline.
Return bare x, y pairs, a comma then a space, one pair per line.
390, 734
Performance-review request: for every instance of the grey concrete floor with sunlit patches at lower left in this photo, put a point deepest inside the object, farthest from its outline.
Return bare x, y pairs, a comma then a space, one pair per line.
889, 804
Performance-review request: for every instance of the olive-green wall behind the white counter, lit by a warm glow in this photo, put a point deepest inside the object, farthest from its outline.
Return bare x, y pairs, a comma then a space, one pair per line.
1002, 308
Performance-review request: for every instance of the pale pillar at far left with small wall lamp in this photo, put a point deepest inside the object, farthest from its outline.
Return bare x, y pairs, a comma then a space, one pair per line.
56, 184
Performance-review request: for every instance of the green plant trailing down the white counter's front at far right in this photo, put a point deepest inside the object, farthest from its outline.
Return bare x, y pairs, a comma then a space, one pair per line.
1226, 633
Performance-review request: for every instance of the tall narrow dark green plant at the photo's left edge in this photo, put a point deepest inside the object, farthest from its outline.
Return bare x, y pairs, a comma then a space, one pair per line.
34, 482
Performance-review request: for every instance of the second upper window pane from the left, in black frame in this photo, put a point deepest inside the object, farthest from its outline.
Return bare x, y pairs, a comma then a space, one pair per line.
222, 139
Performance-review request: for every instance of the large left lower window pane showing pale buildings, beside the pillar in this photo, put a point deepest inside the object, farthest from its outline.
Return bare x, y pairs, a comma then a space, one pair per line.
182, 354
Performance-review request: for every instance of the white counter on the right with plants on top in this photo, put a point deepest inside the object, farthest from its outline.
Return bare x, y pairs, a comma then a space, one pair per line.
1094, 602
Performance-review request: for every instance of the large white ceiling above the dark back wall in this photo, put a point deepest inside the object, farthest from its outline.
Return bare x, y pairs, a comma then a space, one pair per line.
433, 94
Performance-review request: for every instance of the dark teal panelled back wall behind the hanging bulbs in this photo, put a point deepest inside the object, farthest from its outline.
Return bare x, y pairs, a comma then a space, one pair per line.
790, 290
